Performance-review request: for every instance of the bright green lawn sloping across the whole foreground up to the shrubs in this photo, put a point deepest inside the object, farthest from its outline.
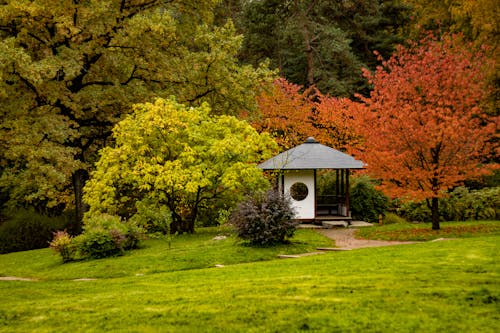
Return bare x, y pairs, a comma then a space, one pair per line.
447, 286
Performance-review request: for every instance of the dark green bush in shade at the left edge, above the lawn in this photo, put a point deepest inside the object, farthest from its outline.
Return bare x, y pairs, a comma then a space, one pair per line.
26, 230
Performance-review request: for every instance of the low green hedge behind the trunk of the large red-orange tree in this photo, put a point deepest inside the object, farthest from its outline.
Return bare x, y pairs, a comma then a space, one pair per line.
461, 204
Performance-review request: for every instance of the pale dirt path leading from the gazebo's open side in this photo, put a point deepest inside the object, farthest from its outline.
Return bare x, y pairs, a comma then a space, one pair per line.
344, 239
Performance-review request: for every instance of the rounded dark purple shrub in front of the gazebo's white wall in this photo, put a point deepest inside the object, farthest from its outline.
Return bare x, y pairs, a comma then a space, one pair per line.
264, 219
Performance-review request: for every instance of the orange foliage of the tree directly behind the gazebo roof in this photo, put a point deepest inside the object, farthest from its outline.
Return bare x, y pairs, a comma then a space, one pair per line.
291, 114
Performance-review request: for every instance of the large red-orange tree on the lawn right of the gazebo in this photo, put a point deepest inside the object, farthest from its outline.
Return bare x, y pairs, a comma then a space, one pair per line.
424, 127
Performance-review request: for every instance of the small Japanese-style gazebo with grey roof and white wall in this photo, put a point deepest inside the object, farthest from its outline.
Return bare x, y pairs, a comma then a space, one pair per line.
297, 177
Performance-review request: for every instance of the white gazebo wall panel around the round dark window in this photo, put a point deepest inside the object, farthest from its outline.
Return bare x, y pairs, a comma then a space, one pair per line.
305, 209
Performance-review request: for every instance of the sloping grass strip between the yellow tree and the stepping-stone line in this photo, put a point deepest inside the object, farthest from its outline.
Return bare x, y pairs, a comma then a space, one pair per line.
186, 252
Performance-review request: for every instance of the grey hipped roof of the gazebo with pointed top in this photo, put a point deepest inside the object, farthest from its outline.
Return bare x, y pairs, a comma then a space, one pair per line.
311, 155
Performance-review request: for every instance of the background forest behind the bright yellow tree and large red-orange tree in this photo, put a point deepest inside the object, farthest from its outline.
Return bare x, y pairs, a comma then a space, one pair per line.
71, 70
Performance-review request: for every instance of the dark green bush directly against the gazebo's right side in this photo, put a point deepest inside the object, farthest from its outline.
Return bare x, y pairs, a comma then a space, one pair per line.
367, 203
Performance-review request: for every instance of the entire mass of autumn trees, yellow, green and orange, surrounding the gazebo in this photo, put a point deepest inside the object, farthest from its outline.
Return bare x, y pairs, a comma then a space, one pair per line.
70, 71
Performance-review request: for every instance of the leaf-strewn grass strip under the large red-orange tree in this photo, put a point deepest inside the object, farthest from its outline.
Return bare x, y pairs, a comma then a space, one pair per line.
424, 232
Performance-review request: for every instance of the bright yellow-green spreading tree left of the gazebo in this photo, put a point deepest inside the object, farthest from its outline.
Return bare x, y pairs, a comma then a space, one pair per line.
184, 158
